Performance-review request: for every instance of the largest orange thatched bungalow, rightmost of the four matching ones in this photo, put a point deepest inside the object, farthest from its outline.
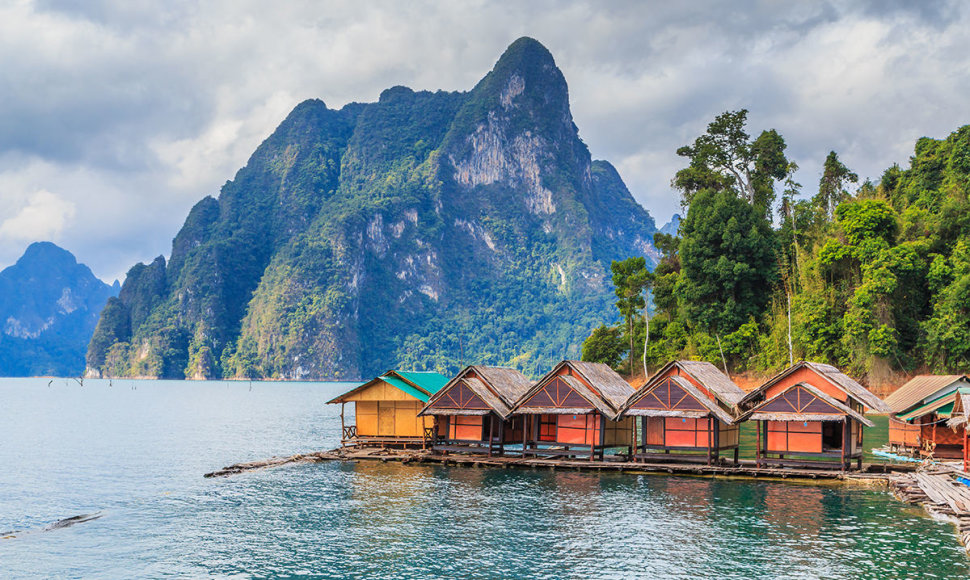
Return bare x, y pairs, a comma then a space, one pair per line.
810, 414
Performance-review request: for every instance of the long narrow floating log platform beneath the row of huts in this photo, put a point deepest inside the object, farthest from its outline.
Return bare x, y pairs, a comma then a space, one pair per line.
746, 469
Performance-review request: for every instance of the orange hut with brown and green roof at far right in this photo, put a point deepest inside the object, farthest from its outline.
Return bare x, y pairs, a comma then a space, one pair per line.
918, 410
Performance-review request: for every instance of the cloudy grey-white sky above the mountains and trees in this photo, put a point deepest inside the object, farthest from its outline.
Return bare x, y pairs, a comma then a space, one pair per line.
117, 116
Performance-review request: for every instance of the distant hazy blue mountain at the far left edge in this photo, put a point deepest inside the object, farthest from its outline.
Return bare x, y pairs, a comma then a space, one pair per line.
49, 306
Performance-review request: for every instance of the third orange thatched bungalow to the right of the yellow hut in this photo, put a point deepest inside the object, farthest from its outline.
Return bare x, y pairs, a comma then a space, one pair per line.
689, 407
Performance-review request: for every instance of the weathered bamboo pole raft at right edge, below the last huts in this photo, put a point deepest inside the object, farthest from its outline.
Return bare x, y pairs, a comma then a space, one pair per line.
937, 490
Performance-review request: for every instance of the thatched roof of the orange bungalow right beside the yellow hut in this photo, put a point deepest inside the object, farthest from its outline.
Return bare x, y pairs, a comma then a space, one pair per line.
498, 387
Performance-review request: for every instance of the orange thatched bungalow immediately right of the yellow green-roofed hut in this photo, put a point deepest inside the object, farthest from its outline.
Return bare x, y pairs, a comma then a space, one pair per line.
472, 412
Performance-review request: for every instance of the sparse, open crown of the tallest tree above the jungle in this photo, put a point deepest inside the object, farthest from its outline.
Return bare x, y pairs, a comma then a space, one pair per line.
726, 158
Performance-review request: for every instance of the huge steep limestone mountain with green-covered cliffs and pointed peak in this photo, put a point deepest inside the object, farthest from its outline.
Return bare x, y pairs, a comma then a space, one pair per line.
426, 230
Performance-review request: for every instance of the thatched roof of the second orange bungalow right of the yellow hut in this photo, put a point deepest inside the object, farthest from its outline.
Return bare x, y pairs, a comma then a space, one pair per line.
606, 391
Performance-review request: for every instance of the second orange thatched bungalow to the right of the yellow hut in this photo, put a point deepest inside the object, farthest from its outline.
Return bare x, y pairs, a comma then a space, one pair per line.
572, 411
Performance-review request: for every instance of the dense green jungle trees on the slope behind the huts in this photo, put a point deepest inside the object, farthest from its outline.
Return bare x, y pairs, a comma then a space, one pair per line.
874, 280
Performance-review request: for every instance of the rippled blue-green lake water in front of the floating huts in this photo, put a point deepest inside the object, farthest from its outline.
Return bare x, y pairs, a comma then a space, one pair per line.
136, 451
